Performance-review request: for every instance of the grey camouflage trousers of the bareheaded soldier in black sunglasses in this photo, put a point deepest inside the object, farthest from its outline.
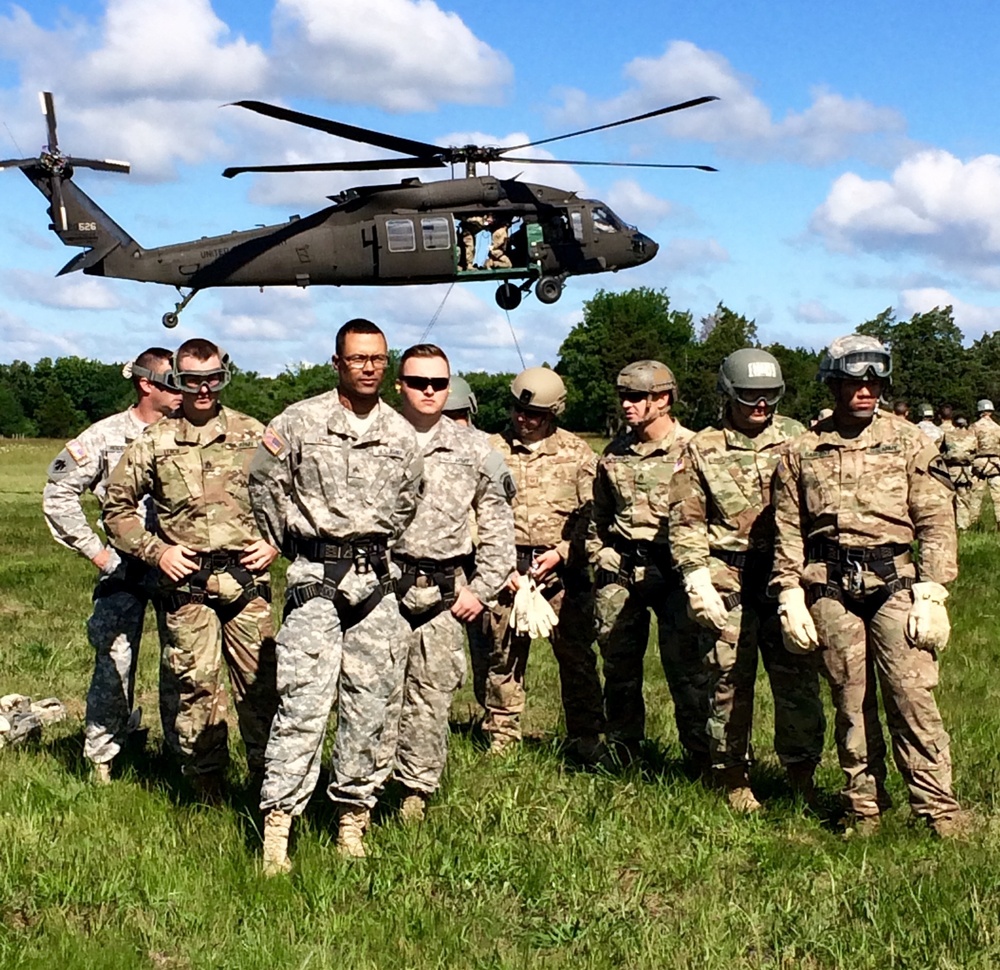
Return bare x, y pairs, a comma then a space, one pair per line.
435, 670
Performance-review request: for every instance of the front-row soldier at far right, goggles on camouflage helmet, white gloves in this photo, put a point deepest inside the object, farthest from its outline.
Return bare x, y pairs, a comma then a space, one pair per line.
850, 498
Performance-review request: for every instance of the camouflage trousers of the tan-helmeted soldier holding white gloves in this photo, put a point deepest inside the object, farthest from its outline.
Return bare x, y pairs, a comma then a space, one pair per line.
573, 645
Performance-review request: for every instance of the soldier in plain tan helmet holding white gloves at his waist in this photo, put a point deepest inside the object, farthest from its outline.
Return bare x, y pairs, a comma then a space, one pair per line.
554, 472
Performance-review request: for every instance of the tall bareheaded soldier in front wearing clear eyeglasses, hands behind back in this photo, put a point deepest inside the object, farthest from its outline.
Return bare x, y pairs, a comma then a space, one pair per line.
334, 482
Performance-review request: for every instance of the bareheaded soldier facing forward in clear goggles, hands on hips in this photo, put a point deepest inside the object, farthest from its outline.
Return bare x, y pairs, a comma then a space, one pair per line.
216, 603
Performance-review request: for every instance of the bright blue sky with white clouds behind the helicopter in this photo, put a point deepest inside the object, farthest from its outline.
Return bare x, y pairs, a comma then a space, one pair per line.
858, 147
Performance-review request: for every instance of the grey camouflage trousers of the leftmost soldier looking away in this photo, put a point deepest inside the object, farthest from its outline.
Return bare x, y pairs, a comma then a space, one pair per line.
115, 632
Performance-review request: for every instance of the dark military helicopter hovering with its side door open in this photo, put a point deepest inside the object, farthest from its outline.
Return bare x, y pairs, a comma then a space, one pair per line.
408, 233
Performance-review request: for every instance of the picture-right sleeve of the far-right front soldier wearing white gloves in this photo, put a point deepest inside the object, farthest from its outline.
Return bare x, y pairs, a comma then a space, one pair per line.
931, 507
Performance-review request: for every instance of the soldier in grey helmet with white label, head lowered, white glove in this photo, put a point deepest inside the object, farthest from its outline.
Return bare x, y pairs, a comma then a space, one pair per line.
721, 537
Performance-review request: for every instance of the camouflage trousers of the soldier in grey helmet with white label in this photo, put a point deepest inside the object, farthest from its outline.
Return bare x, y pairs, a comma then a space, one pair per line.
799, 723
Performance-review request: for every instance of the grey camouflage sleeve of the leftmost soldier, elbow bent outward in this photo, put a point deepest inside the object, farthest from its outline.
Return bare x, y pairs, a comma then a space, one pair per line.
75, 470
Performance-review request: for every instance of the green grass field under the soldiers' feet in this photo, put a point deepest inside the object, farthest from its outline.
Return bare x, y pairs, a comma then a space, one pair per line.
523, 863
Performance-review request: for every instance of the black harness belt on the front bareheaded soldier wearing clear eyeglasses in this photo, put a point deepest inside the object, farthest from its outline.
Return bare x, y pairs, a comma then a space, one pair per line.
366, 554
